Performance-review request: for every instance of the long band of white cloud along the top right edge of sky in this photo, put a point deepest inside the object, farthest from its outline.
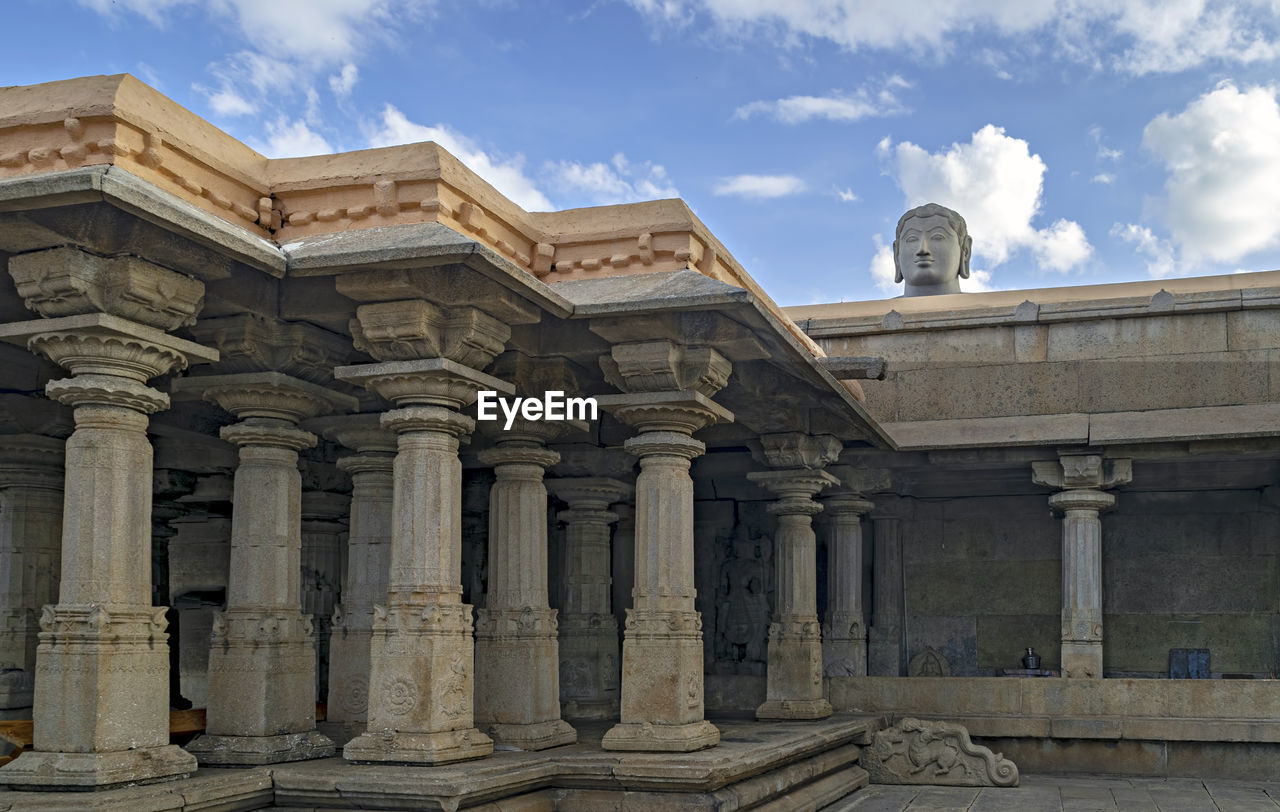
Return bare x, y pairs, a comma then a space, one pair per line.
1132, 37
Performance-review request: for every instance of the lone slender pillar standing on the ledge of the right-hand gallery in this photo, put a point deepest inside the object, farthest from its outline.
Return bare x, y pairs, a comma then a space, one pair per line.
1082, 478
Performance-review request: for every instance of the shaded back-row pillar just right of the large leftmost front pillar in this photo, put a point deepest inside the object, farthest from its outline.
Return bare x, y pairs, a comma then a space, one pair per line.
262, 665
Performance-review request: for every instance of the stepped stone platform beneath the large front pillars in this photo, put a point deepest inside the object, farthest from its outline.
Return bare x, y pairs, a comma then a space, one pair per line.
789, 767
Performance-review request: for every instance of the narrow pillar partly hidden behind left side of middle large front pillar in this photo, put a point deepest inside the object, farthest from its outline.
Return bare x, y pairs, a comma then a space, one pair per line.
368, 564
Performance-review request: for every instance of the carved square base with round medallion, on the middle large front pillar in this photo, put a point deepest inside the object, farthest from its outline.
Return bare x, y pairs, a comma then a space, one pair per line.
420, 688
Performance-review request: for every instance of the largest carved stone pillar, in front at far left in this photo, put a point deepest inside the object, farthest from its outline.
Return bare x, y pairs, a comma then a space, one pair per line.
102, 697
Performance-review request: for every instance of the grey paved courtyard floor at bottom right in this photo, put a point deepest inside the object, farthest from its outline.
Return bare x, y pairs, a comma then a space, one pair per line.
1052, 793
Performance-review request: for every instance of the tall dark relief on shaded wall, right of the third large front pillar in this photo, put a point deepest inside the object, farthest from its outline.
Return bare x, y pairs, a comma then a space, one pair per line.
743, 603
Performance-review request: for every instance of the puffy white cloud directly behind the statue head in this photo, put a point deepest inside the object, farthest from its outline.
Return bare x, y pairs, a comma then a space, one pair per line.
996, 185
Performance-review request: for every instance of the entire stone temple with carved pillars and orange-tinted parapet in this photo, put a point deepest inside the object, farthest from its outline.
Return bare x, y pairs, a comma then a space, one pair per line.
243, 468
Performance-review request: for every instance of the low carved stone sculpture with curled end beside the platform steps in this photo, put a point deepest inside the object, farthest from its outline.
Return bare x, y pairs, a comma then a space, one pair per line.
935, 754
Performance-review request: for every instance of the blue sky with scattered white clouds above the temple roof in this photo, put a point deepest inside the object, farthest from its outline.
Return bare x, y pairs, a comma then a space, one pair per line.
1086, 142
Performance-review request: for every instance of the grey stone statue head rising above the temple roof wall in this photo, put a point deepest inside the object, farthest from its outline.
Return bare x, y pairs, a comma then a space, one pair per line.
931, 250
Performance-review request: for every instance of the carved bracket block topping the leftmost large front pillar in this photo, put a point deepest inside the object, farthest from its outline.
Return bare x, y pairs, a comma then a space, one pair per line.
62, 282
